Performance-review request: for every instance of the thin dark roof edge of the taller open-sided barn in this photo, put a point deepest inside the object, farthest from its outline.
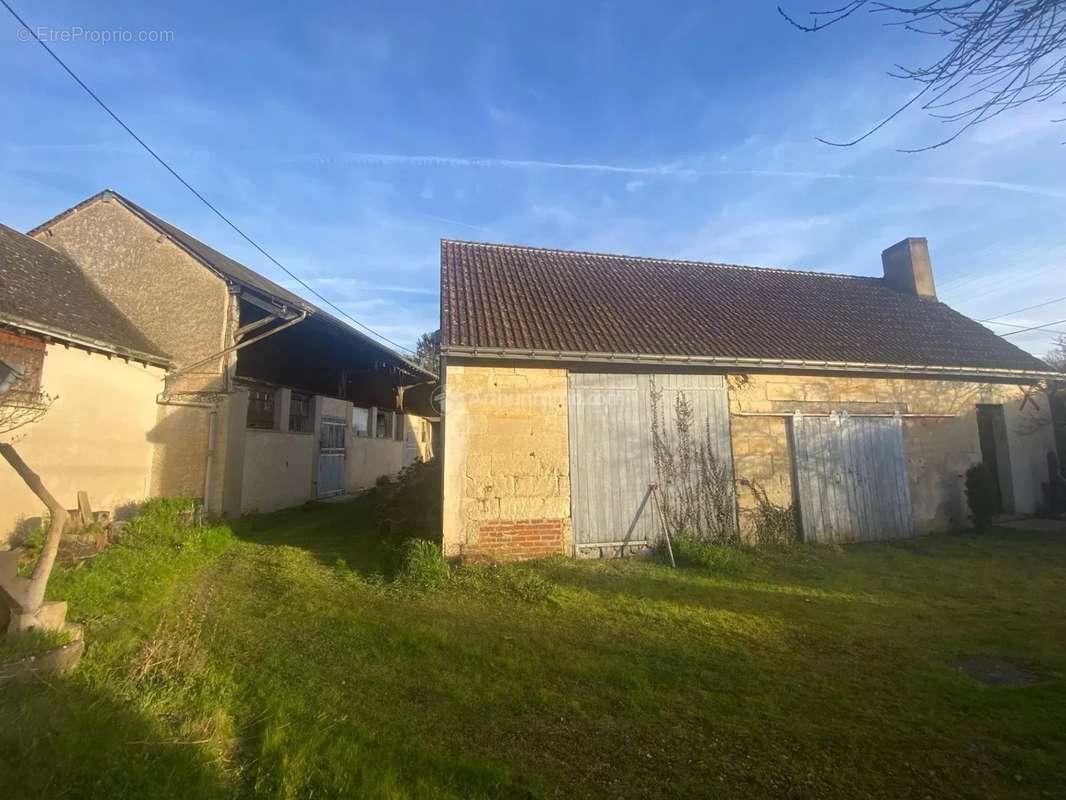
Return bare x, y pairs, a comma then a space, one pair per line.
237, 274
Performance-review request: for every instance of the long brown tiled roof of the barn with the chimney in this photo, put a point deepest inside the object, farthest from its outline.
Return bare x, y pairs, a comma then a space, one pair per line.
506, 300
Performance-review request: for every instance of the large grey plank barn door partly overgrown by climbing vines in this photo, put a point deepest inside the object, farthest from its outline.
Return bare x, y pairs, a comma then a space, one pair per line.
611, 453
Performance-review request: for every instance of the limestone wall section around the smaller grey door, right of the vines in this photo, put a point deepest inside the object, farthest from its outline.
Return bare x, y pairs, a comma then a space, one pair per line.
939, 450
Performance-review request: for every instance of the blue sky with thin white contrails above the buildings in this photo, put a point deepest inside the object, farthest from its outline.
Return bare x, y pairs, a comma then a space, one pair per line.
349, 138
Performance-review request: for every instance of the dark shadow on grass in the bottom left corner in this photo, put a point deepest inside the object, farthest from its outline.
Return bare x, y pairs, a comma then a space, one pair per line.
62, 740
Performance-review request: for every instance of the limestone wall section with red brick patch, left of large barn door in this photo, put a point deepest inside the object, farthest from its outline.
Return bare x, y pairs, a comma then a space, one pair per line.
507, 477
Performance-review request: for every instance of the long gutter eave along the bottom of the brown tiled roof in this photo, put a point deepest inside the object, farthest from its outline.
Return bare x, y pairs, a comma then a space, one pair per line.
750, 364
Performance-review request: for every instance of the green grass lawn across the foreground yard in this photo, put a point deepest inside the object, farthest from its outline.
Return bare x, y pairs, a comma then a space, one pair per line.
246, 662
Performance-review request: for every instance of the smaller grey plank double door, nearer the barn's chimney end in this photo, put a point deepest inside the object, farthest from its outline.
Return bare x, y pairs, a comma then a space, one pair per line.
851, 478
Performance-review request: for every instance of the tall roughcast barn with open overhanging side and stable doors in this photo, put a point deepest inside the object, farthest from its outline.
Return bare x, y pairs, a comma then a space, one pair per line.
267, 401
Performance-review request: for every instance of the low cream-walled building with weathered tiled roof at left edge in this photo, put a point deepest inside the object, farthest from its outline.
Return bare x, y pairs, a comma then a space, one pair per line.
89, 370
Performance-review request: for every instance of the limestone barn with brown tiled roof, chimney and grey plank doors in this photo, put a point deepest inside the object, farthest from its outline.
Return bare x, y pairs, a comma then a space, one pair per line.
861, 402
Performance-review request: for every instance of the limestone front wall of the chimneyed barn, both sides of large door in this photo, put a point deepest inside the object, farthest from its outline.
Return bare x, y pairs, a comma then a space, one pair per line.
507, 478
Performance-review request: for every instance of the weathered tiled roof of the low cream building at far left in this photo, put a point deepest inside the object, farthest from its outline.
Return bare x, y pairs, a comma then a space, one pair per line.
44, 292
